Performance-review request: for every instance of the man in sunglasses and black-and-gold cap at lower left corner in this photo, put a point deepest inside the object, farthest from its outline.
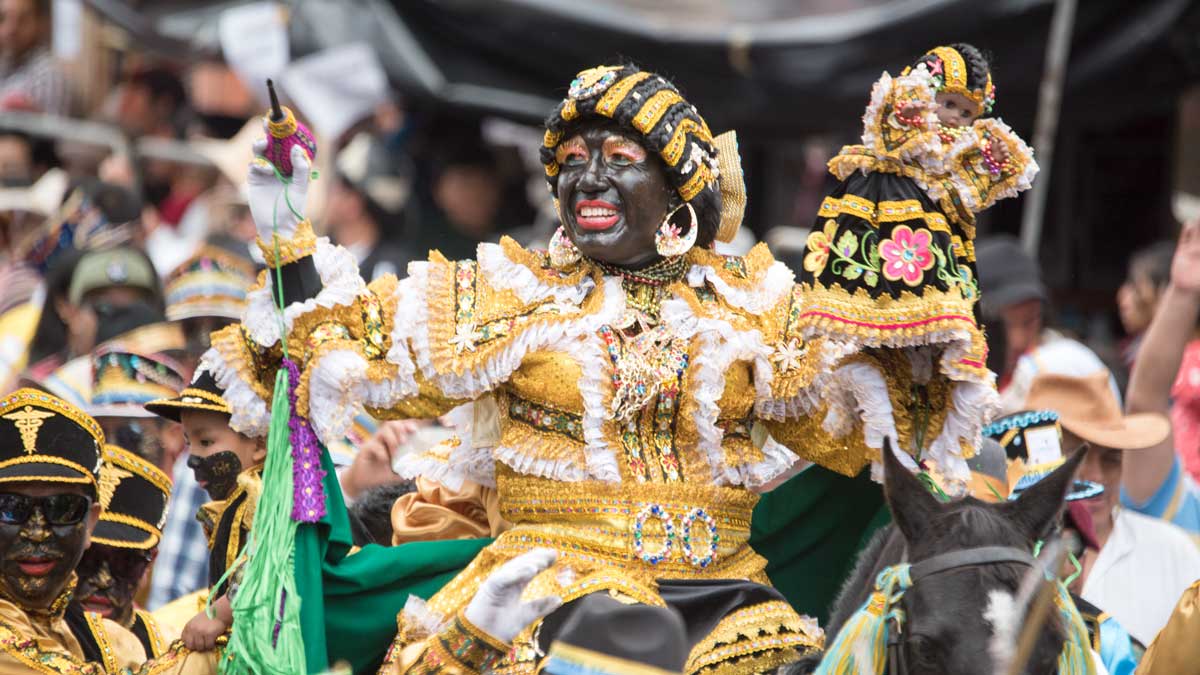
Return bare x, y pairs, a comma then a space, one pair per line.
50, 473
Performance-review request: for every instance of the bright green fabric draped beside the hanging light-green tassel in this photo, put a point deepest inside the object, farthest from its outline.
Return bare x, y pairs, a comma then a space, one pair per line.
350, 602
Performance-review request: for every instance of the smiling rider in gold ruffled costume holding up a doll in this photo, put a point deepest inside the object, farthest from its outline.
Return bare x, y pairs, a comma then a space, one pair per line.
631, 390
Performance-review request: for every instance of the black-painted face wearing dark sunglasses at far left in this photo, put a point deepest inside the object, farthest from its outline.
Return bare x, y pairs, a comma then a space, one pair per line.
39, 558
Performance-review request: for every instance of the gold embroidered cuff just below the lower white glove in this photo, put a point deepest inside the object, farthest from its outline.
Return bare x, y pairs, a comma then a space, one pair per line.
460, 649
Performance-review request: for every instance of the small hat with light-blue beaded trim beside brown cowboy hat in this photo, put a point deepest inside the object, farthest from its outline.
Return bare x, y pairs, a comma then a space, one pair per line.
1033, 446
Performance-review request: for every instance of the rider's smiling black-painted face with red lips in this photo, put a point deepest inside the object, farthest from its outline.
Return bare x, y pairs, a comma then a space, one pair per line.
613, 196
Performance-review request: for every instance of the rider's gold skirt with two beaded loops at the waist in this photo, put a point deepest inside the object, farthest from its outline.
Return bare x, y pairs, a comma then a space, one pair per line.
622, 540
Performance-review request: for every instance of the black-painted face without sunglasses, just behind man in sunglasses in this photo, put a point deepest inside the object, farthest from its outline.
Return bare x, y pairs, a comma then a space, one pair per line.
109, 580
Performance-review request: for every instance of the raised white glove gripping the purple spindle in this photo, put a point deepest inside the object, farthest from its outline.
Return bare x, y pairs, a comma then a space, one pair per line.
271, 199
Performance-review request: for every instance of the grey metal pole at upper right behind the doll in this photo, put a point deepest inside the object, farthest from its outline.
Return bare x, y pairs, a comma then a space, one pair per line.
1047, 127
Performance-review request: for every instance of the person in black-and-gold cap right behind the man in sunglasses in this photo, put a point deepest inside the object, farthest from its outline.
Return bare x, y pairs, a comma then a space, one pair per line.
134, 495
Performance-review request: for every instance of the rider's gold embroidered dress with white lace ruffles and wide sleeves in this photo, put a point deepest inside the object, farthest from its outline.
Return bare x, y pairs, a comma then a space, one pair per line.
637, 457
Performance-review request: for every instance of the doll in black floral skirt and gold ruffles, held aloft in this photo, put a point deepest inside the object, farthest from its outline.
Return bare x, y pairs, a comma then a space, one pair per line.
891, 260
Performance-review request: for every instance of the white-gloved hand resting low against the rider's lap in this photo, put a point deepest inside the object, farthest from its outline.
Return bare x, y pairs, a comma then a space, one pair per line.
497, 608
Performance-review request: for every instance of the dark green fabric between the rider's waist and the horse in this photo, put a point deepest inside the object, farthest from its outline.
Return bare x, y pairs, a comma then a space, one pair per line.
812, 529
